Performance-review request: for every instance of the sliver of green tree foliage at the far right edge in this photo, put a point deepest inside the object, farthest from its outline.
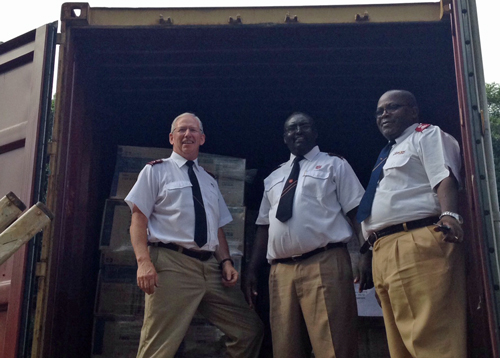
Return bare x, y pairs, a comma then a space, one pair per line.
493, 96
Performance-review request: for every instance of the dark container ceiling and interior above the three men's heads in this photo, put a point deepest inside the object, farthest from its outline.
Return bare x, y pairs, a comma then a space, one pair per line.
243, 81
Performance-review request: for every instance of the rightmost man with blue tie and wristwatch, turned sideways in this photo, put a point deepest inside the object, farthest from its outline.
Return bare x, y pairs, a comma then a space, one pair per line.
415, 230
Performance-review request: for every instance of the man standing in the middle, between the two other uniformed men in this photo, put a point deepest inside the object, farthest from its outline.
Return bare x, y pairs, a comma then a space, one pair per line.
312, 298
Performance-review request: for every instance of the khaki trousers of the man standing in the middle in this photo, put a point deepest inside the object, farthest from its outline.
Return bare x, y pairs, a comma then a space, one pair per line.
313, 303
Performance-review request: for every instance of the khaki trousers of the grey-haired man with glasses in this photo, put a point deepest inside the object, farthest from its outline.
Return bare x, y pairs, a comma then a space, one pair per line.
185, 285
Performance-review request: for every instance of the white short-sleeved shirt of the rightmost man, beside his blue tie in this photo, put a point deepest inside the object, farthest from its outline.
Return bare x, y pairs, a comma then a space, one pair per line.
420, 160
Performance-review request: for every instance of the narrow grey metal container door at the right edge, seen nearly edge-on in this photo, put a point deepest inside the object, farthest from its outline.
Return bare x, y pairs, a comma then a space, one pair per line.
483, 294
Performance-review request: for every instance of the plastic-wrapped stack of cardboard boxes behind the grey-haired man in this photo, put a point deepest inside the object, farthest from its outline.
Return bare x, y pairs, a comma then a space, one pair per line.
119, 302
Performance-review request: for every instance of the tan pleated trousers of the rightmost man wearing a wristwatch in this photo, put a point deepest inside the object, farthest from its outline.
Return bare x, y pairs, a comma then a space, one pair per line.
420, 280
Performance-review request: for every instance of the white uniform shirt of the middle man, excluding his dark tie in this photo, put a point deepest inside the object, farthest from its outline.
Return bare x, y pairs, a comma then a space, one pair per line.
327, 190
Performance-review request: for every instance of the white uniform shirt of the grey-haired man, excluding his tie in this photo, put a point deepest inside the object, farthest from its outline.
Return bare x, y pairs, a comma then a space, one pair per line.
163, 193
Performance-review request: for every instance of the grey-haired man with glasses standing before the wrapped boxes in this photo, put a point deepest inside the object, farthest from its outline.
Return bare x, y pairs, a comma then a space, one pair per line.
178, 211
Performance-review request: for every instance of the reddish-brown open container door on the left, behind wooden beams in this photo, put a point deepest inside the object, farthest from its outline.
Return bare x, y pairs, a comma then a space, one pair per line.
26, 68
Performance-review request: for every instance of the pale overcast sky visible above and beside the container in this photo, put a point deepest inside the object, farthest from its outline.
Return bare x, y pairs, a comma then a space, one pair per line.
18, 17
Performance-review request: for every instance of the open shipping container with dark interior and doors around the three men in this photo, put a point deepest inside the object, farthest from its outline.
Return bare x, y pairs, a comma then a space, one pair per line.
124, 74
